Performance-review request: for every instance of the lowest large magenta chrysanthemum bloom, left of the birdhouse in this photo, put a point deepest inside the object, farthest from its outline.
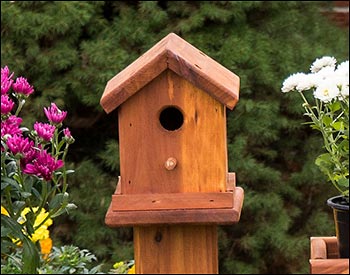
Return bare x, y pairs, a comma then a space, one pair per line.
43, 166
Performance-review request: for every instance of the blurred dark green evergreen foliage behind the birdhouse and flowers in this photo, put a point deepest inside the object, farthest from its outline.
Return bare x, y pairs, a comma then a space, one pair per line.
68, 50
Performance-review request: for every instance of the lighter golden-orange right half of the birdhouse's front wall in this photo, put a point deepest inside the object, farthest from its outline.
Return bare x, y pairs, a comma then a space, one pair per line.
204, 149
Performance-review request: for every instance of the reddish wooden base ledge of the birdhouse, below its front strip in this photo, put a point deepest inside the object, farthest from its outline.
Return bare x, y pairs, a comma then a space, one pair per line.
178, 216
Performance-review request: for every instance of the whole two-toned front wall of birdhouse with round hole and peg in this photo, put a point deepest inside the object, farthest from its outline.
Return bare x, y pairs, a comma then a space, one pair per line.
172, 138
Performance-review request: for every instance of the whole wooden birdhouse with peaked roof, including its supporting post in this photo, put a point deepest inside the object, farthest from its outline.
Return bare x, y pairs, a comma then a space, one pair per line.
174, 187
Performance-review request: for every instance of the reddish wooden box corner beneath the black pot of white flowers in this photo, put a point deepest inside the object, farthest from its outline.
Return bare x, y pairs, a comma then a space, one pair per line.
324, 257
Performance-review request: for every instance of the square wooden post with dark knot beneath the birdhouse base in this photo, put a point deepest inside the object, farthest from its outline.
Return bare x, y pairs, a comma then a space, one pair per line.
185, 249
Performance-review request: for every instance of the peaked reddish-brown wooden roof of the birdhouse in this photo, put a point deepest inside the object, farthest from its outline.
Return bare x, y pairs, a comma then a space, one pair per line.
176, 54
